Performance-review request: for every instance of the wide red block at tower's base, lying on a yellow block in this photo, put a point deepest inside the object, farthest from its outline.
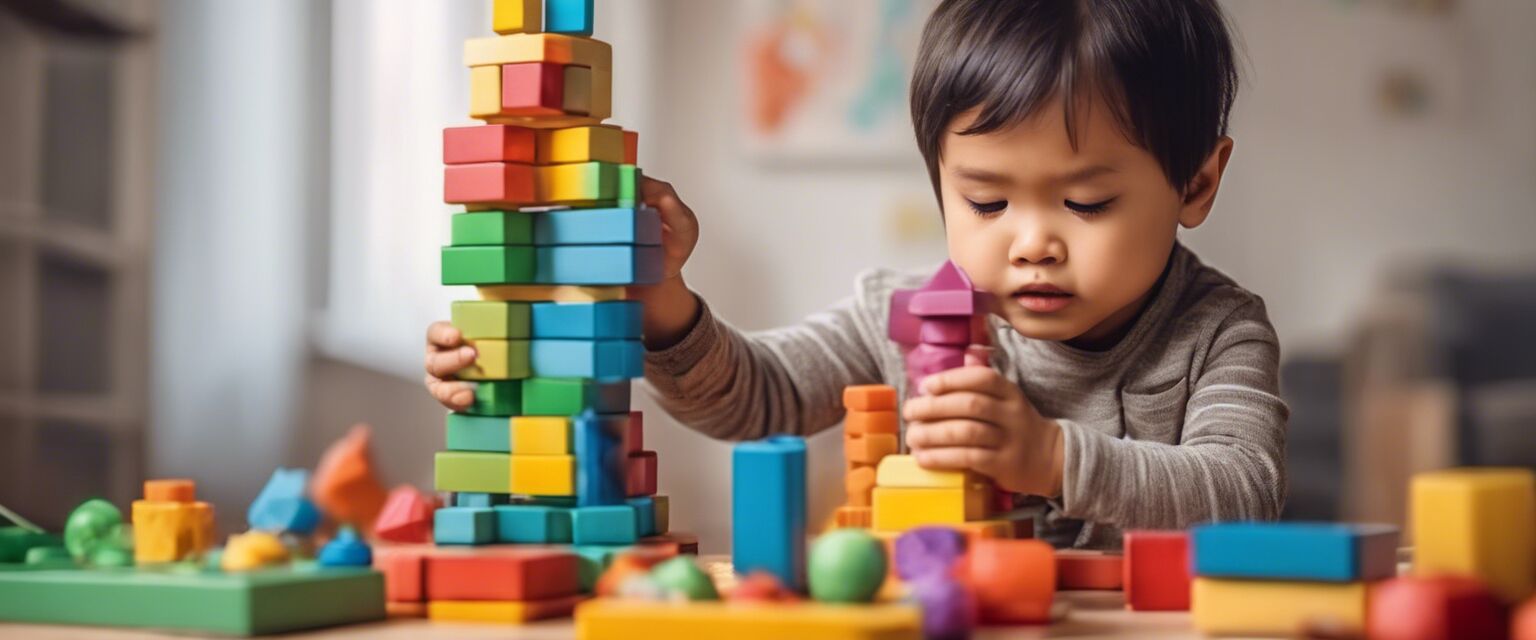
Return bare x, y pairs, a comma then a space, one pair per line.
514, 575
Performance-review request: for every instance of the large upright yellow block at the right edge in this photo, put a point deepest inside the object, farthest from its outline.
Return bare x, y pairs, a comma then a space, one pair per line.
1477, 523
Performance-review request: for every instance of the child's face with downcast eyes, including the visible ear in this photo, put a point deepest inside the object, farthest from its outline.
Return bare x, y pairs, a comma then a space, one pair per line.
1068, 242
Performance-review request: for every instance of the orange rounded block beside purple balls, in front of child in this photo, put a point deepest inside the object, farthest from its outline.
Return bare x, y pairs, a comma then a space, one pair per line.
1013, 581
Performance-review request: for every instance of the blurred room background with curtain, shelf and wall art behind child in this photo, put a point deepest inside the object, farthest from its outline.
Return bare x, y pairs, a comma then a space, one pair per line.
220, 225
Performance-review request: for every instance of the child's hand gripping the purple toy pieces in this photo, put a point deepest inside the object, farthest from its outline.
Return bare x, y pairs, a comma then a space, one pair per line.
972, 418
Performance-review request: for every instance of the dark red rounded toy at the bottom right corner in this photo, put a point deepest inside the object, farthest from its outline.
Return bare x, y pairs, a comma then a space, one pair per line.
1435, 609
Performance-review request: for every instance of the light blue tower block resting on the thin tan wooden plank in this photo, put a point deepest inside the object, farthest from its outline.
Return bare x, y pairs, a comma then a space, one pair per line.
597, 265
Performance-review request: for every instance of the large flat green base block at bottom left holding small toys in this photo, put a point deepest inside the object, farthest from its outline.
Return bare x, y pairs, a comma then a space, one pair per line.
193, 601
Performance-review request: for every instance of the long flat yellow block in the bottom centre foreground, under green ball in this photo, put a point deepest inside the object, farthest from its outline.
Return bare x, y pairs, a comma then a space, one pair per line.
607, 619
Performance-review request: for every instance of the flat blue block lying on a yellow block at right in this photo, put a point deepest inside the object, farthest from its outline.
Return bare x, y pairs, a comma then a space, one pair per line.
1296, 552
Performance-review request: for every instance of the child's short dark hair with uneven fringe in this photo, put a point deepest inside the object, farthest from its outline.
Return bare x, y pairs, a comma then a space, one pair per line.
1167, 68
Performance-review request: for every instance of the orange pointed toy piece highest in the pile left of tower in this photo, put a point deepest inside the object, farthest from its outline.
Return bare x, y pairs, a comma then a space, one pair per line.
345, 484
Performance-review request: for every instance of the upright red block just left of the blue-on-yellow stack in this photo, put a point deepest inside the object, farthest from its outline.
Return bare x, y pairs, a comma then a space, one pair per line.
1157, 570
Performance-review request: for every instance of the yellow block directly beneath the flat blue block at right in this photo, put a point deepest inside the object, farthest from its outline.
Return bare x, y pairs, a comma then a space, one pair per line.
1276, 609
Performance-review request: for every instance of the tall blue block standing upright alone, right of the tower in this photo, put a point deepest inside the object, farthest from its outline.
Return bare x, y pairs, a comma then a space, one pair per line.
769, 509
